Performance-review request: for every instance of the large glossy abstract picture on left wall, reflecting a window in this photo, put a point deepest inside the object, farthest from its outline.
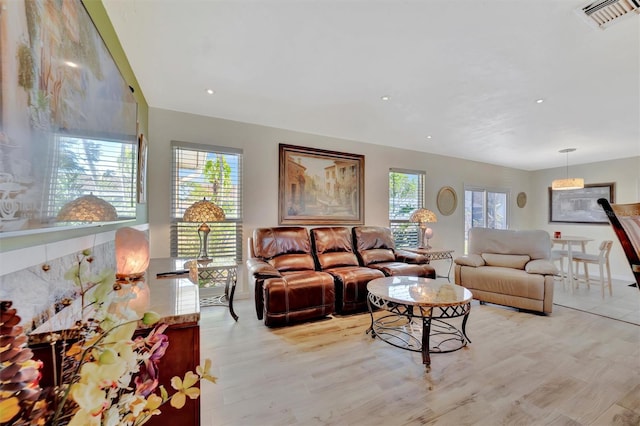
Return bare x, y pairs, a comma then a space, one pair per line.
67, 116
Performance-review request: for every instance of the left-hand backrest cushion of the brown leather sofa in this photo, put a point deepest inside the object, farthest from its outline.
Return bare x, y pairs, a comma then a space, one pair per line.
286, 248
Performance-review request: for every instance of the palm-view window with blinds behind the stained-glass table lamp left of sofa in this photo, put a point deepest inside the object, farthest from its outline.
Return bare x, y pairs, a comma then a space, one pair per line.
214, 173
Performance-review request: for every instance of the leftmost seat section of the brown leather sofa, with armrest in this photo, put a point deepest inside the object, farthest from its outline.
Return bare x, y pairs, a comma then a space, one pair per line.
287, 287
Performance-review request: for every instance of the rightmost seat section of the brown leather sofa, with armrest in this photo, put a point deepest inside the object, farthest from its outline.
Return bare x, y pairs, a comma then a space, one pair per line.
375, 249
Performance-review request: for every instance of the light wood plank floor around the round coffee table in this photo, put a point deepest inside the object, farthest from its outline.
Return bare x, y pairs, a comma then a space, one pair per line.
570, 368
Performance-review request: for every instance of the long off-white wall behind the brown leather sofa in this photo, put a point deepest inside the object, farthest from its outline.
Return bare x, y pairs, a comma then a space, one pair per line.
260, 186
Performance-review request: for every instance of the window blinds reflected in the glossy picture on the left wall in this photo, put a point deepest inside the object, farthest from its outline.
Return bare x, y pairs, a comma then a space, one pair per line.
80, 166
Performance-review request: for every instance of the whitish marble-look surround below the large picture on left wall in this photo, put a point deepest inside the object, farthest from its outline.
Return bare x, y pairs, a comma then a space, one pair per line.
37, 294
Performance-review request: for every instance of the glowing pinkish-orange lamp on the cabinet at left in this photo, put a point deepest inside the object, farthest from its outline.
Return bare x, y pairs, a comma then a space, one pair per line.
132, 253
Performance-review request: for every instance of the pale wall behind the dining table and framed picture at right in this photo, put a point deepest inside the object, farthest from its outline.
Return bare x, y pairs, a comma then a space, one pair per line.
625, 173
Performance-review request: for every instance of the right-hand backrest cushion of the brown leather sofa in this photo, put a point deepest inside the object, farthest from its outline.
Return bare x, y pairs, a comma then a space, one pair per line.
374, 244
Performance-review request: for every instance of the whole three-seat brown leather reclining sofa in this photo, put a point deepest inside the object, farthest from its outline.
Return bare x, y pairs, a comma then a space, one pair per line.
296, 280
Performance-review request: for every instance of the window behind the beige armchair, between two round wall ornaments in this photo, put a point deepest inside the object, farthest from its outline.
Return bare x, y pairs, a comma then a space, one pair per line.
485, 208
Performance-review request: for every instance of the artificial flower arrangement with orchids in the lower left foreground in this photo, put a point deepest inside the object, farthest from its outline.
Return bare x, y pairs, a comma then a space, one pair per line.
108, 376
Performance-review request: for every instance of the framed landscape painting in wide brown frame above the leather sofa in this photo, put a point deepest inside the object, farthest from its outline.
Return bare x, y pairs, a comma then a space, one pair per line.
319, 187
